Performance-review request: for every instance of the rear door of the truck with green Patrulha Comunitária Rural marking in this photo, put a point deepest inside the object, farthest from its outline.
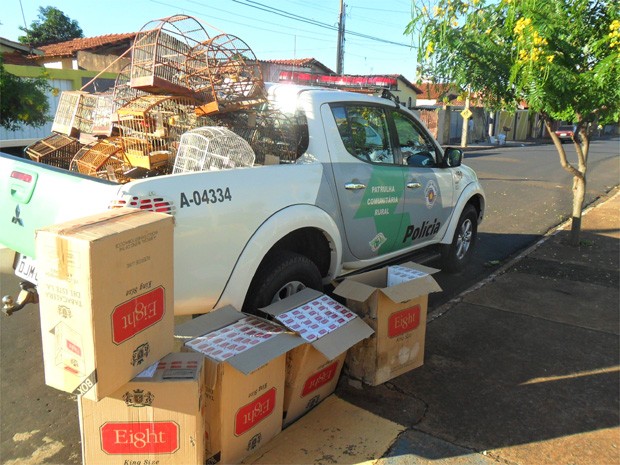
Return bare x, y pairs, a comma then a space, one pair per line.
369, 184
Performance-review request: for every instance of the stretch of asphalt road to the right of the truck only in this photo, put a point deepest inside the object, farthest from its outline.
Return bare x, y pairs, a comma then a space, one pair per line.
528, 193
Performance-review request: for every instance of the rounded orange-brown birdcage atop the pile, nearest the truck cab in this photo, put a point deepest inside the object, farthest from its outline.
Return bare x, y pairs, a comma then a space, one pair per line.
235, 79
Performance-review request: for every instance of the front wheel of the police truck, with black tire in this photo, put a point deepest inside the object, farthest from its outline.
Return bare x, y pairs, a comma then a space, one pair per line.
457, 255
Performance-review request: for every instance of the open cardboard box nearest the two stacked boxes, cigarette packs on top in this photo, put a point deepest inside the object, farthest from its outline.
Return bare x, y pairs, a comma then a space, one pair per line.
245, 359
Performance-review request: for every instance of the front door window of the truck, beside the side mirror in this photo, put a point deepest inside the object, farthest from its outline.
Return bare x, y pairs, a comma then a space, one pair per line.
415, 144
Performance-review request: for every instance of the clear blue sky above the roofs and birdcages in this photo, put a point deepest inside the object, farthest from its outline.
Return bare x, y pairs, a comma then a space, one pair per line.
269, 35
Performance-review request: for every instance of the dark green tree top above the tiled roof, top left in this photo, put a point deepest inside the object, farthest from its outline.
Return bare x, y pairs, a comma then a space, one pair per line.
53, 26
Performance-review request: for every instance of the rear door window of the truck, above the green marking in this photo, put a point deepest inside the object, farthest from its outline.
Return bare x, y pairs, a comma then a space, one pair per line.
364, 132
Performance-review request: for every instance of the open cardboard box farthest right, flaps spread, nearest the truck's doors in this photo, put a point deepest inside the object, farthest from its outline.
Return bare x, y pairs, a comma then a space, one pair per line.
394, 302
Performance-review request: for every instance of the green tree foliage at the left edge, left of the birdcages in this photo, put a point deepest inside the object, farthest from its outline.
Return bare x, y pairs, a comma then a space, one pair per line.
23, 101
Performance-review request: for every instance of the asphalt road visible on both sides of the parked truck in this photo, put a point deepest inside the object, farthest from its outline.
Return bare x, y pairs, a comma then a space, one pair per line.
528, 193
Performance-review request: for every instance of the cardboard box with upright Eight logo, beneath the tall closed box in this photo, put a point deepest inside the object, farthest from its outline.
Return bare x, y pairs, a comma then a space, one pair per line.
156, 418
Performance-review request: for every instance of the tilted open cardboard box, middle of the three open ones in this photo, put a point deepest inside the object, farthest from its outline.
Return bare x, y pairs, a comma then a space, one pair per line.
329, 330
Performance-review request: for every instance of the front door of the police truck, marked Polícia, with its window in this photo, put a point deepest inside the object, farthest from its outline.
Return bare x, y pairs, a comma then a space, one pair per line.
429, 190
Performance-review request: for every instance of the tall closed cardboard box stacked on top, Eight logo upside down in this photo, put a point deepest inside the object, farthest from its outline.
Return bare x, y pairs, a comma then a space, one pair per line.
106, 299
